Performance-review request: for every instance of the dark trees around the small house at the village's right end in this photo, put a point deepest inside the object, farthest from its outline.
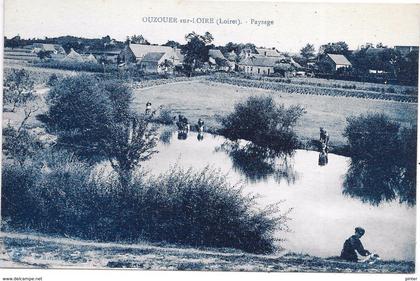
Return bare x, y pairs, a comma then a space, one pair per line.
370, 63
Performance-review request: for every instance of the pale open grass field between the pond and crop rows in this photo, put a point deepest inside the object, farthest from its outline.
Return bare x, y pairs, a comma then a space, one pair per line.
204, 99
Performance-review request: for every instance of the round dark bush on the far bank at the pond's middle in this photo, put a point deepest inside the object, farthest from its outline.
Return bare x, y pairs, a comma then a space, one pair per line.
263, 122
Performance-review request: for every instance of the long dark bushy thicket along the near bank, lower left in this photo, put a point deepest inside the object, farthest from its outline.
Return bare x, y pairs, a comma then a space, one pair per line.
60, 195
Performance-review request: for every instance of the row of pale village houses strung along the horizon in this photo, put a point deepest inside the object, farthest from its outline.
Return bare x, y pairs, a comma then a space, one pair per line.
165, 59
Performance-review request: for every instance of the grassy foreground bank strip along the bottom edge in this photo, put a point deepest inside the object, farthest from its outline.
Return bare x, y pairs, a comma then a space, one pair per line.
35, 251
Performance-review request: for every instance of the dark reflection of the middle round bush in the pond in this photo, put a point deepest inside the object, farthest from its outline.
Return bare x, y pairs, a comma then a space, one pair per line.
258, 163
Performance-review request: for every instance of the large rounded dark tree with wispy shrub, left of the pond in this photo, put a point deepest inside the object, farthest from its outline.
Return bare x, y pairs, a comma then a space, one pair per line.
94, 119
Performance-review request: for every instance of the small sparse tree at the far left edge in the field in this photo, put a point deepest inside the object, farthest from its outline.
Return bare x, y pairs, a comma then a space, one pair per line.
18, 88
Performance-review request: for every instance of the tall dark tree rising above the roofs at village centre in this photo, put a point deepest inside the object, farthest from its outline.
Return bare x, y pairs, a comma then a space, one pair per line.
196, 50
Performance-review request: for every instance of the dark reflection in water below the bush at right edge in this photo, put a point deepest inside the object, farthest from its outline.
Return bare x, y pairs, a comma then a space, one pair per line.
375, 183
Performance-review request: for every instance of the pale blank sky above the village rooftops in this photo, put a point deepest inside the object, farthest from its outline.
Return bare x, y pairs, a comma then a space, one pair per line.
295, 24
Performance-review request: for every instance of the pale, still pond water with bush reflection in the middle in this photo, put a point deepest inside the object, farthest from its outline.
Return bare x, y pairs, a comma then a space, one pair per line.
322, 216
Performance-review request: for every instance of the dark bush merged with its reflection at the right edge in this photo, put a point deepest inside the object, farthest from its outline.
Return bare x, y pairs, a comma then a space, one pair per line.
383, 165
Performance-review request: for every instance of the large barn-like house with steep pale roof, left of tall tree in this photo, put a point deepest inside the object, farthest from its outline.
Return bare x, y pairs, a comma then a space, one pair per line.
151, 57
